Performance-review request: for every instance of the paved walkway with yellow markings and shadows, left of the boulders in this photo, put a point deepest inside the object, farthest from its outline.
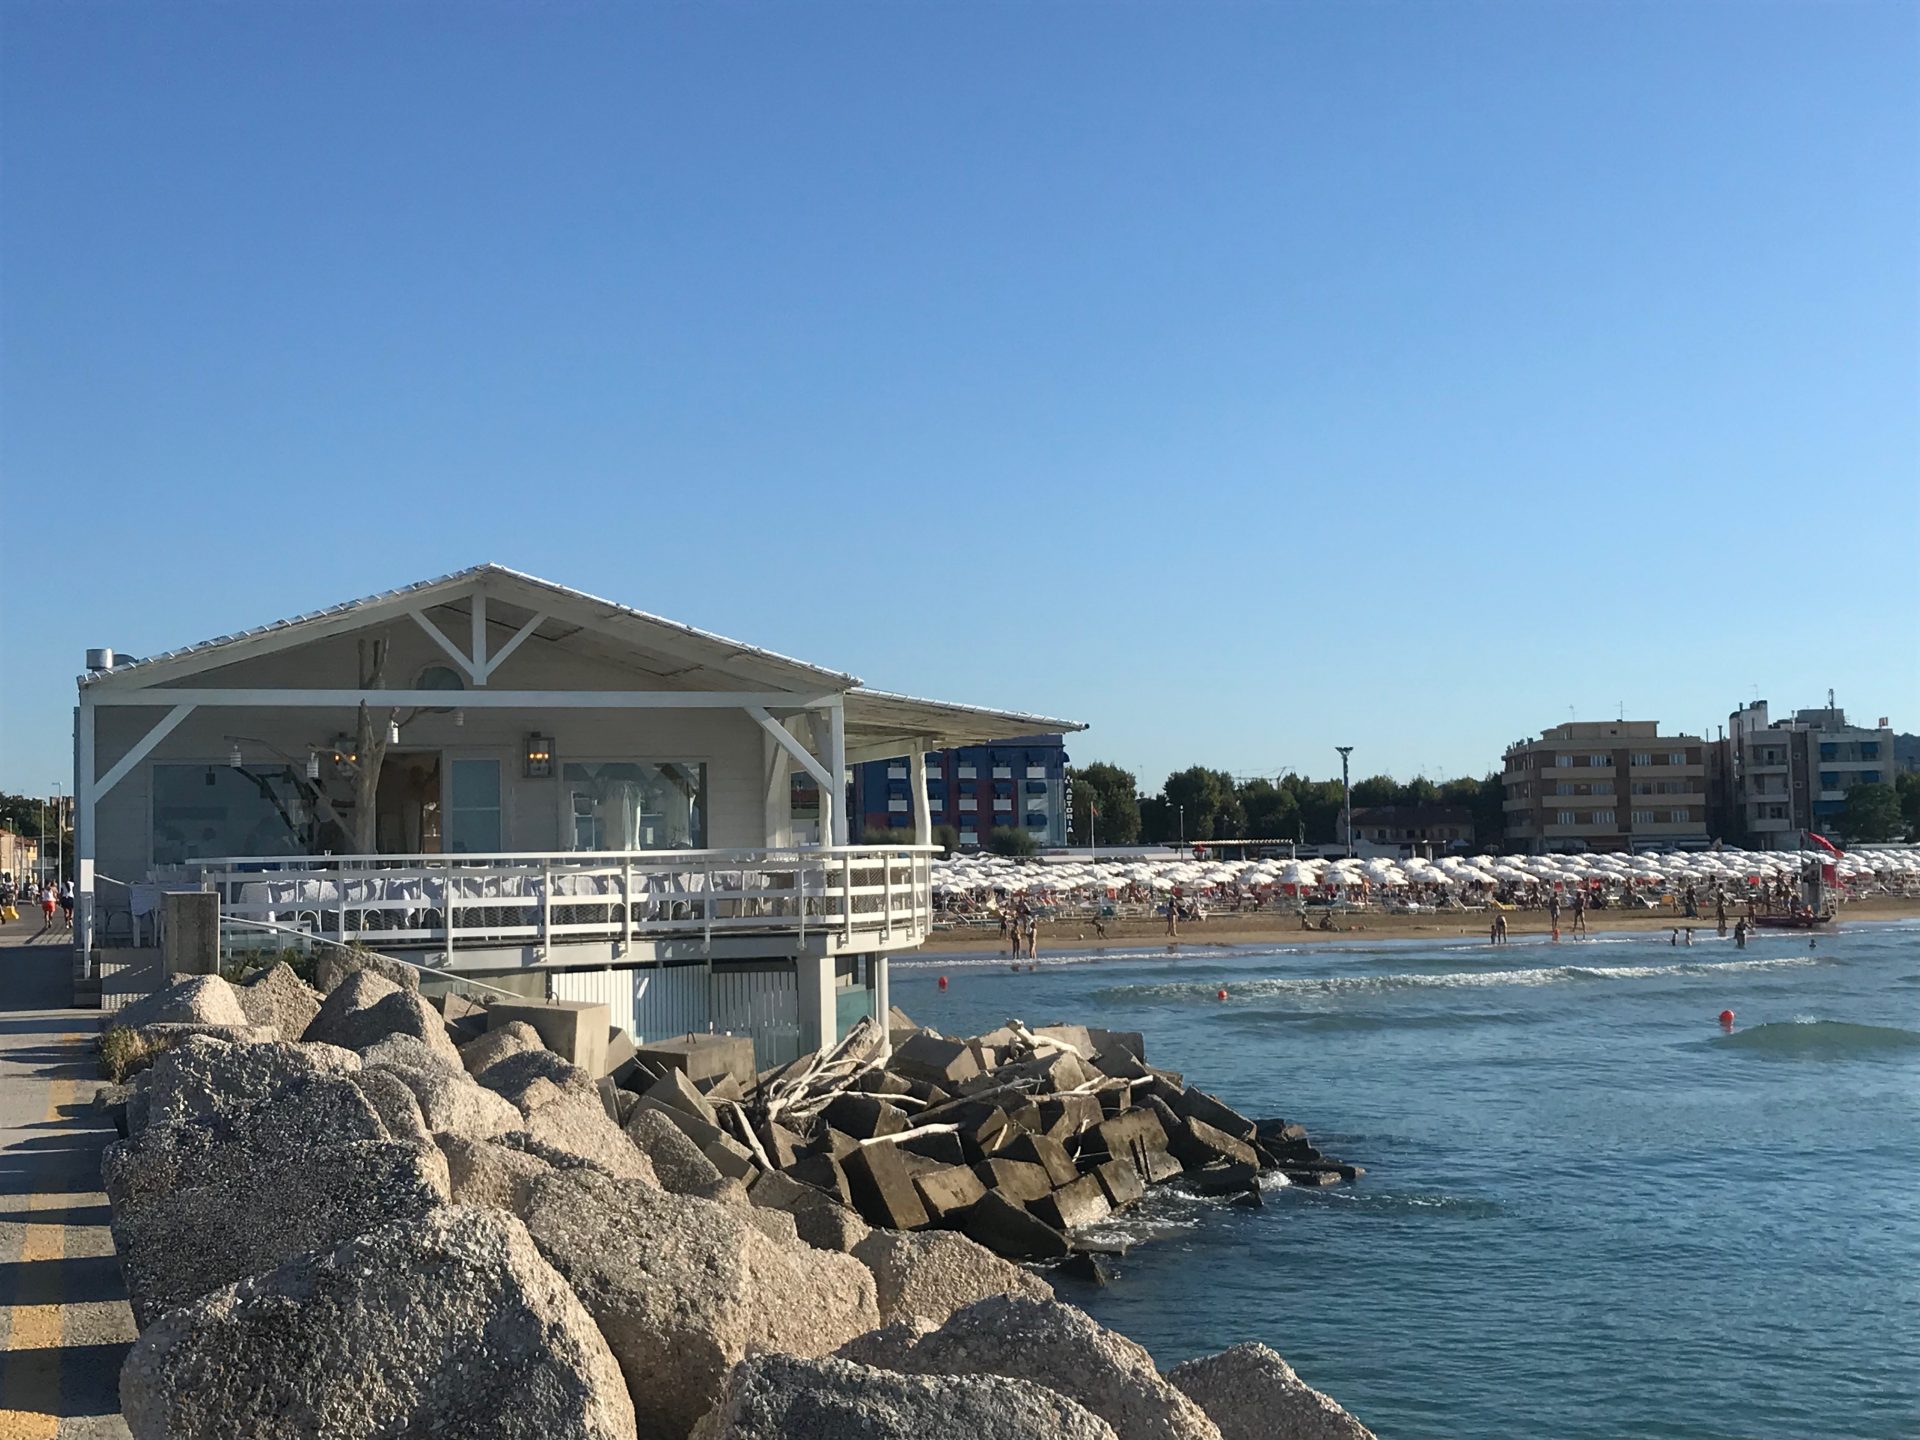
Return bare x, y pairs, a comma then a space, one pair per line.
64, 1320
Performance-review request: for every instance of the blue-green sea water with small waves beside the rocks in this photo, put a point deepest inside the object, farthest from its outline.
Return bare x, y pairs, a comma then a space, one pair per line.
1587, 1211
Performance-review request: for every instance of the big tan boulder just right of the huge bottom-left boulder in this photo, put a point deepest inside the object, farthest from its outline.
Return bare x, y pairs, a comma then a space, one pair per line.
684, 1289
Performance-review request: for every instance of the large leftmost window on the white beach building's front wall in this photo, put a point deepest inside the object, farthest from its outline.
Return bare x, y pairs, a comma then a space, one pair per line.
208, 811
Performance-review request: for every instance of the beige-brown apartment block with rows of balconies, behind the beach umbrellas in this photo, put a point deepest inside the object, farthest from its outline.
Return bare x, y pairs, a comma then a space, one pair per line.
1606, 786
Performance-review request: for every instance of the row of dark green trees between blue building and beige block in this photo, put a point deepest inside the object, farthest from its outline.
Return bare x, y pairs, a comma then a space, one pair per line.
1201, 804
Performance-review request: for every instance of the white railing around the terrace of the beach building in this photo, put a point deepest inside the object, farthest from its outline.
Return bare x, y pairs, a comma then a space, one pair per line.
850, 898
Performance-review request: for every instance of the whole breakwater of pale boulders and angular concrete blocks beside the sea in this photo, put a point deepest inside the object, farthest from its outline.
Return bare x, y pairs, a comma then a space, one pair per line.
406, 1220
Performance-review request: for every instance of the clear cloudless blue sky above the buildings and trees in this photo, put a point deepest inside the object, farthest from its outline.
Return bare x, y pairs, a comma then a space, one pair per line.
1243, 379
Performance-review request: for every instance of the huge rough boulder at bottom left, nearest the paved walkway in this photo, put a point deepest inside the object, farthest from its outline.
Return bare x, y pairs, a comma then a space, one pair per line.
448, 1326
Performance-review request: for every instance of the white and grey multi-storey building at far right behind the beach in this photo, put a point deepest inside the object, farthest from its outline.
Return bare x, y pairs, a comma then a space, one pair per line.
1785, 777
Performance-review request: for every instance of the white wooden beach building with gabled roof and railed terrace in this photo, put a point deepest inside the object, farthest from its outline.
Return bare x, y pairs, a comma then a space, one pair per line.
573, 800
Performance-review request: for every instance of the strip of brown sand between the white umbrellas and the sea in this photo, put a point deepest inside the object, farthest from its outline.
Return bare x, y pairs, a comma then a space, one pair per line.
1284, 928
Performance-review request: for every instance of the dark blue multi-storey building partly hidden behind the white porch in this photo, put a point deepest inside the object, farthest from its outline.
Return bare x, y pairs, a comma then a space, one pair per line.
1019, 784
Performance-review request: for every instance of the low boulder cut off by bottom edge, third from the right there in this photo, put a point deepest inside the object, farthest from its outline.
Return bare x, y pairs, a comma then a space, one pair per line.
788, 1399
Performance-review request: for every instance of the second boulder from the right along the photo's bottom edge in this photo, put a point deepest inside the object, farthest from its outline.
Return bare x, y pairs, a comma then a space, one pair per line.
1051, 1345
